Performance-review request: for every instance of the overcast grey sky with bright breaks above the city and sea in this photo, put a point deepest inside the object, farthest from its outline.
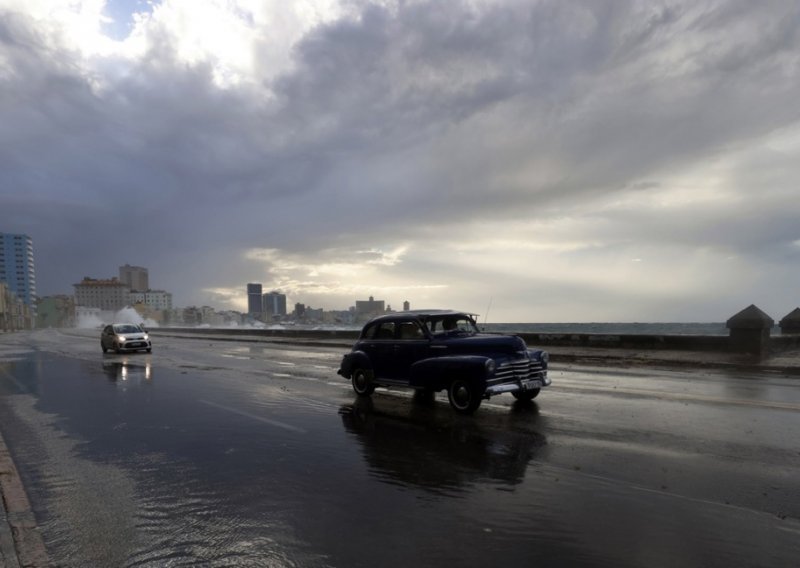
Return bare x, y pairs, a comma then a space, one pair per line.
557, 161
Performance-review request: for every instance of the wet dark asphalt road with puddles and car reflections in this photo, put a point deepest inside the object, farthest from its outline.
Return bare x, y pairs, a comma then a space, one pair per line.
227, 454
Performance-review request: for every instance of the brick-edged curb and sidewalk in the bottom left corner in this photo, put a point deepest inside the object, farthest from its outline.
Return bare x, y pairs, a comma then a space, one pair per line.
21, 543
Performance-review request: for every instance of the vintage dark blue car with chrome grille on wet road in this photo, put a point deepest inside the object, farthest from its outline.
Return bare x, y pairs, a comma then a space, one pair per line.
434, 350
